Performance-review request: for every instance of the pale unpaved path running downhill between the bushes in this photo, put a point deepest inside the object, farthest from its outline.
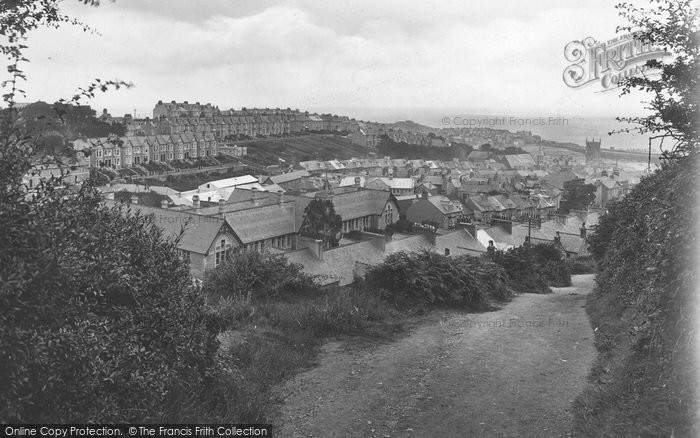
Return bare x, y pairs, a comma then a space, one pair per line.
513, 372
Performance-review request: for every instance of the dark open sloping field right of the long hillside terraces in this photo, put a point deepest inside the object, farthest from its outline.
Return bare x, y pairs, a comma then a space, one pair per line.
311, 147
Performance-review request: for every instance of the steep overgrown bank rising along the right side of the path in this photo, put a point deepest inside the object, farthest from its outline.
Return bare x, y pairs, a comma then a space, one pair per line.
644, 309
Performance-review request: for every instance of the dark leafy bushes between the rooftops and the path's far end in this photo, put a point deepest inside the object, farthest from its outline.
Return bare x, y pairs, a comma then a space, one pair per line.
429, 279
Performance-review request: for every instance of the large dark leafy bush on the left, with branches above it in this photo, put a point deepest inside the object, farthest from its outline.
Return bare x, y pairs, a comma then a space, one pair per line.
99, 319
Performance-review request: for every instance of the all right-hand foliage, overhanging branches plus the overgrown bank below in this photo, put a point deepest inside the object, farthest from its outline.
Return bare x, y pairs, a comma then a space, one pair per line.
644, 382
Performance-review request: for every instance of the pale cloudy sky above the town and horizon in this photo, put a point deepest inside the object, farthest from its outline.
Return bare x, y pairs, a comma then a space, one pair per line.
360, 58
